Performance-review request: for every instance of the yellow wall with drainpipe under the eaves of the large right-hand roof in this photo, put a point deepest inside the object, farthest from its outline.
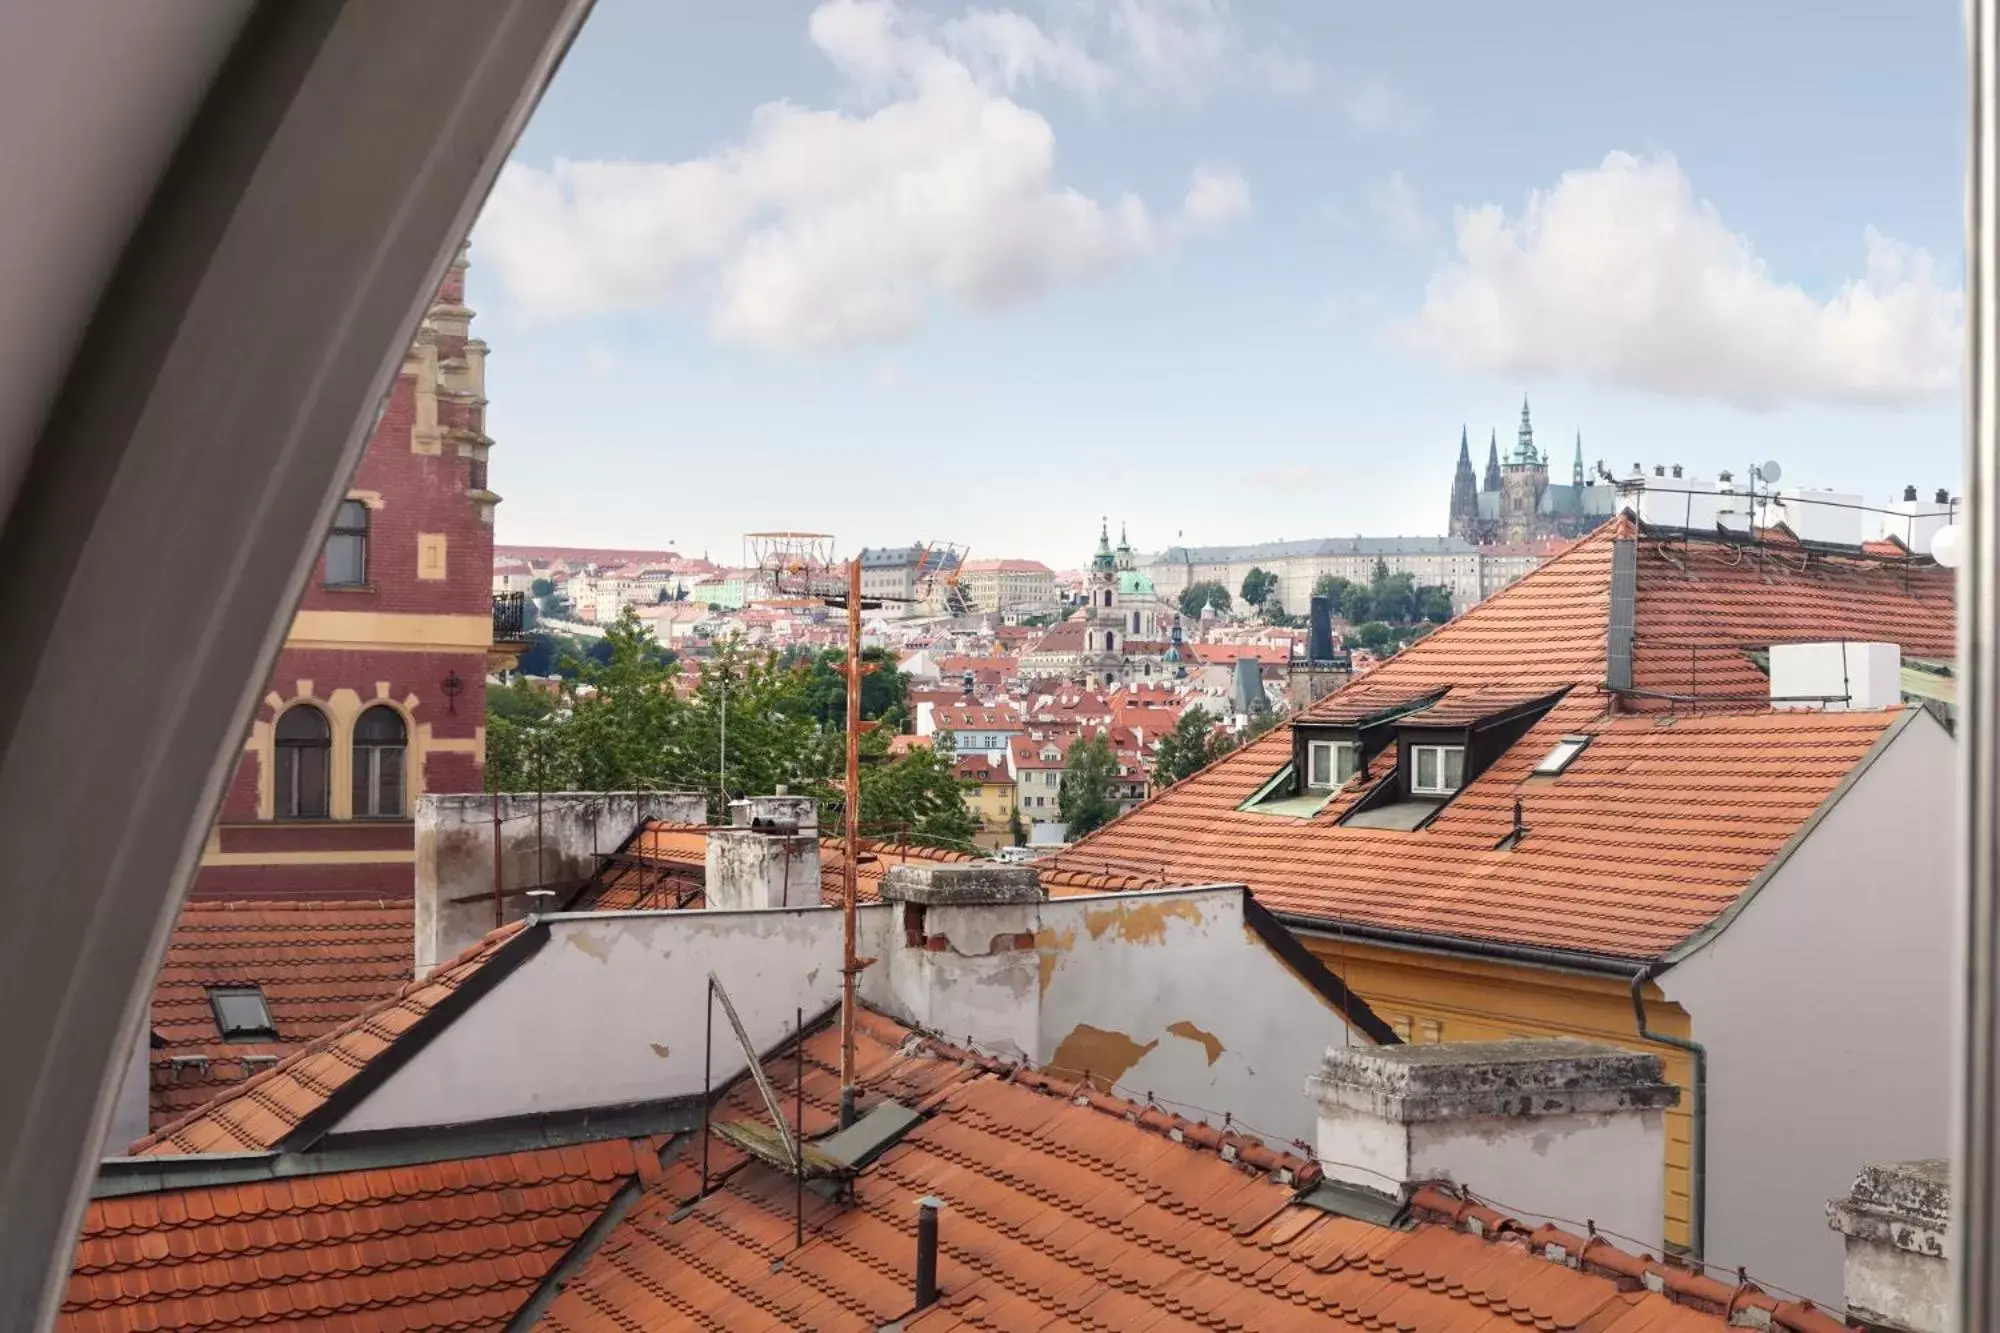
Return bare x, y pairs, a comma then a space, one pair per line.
1441, 998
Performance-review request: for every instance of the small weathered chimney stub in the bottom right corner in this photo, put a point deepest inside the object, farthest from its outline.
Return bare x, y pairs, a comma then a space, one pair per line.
1899, 1264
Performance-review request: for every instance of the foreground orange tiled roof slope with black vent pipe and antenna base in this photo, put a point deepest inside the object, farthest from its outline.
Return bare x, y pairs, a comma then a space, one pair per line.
1089, 1212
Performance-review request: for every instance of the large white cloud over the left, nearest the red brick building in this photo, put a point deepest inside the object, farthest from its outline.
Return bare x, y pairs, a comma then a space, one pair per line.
827, 229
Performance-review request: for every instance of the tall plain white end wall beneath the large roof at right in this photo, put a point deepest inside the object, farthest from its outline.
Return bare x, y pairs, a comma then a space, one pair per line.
1827, 1018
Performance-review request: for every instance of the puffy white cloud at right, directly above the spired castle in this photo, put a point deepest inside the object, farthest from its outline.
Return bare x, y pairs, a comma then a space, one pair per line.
1625, 277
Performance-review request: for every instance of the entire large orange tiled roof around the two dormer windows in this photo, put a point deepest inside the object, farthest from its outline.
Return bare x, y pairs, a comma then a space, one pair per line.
1639, 844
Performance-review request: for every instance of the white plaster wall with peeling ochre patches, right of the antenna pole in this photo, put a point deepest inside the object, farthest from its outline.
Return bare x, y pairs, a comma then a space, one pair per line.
1153, 992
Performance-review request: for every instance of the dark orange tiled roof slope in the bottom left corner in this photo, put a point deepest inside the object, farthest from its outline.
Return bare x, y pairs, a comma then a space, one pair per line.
431, 1246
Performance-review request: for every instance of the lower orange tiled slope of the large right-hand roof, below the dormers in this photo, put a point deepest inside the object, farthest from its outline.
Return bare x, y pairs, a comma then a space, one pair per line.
1643, 840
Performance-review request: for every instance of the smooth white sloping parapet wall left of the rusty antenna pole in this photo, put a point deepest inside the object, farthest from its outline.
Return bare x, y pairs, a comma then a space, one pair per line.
613, 1012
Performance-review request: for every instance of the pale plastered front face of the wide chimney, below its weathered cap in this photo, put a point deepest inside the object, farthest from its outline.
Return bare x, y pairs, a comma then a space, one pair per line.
1583, 1168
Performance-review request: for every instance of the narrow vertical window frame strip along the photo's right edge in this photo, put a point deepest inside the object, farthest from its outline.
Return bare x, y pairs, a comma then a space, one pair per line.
1977, 1164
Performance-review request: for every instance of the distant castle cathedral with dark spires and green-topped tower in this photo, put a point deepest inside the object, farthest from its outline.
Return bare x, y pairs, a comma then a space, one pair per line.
1517, 503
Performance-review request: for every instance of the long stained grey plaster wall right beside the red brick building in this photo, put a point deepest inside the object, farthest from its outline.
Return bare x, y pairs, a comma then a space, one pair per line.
455, 854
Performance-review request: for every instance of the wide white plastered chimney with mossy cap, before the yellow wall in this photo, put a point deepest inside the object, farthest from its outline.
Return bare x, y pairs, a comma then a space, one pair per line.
1557, 1128
